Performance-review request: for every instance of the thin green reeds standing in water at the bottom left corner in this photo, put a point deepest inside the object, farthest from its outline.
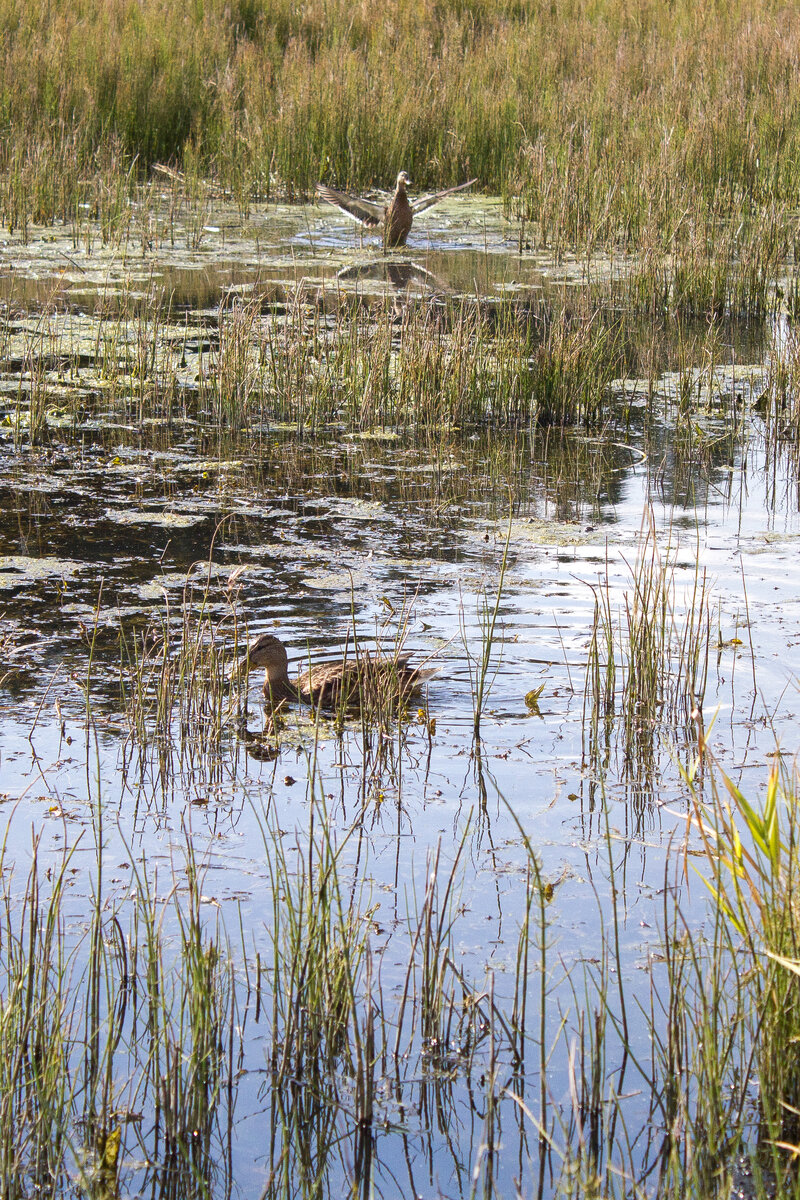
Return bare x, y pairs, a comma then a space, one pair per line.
95, 1021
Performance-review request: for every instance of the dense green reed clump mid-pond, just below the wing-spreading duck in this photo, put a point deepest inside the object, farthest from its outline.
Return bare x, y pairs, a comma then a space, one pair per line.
446, 370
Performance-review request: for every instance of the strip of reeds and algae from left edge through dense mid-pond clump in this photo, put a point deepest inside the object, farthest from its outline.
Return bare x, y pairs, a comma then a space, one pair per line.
436, 369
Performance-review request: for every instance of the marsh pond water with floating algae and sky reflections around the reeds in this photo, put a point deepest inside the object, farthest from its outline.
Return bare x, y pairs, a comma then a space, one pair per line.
121, 524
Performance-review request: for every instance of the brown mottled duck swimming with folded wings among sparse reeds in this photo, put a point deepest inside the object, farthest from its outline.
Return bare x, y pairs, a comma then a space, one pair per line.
347, 682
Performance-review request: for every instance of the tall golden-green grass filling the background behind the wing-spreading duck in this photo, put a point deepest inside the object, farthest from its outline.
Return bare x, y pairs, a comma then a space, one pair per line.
613, 125
